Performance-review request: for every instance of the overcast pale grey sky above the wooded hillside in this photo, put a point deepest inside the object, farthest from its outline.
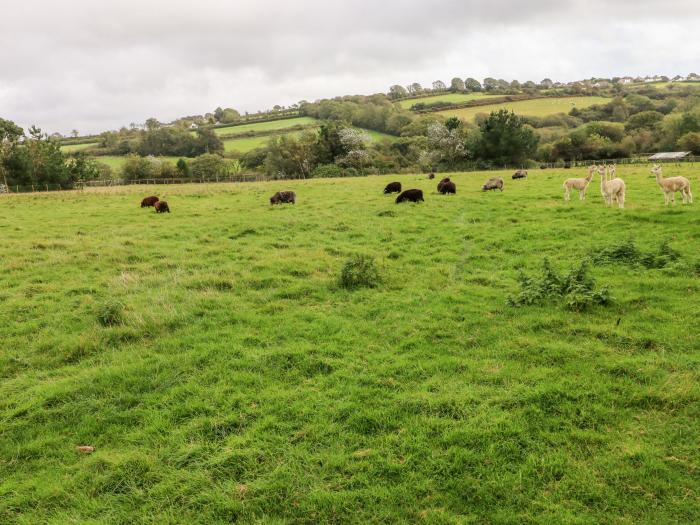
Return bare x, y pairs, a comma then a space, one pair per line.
95, 65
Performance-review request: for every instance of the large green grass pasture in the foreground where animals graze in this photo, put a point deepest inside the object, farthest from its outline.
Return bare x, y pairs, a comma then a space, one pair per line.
224, 376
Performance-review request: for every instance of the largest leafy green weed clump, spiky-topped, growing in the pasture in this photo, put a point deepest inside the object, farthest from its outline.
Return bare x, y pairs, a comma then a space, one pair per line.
576, 291
